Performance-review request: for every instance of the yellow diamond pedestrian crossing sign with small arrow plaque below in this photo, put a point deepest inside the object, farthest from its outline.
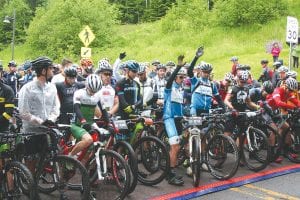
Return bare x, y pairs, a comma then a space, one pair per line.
86, 36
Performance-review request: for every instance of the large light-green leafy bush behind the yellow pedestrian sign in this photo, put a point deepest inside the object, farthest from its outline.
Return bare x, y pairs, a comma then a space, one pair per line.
55, 28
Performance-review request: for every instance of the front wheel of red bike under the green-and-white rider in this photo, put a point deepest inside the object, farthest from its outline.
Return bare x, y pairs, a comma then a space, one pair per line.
115, 161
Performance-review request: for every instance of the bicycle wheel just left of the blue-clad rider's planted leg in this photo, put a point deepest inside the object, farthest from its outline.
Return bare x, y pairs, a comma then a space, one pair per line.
153, 160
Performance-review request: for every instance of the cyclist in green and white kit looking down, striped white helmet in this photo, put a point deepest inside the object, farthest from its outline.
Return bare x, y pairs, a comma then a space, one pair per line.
87, 102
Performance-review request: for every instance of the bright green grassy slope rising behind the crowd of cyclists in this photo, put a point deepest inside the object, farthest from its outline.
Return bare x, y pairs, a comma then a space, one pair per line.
146, 42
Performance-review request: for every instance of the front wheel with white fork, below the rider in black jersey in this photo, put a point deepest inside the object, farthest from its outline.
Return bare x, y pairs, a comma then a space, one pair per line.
255, 150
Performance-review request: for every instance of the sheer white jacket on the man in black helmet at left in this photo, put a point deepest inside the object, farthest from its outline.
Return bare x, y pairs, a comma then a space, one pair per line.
38, 102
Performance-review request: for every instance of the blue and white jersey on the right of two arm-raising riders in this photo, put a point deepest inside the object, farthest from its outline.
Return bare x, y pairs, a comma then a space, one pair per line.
203, 91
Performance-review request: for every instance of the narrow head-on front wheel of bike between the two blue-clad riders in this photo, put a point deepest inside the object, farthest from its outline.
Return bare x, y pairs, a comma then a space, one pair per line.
196, 161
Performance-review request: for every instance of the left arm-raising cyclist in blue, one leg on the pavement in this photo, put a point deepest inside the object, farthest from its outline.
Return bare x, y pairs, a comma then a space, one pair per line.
173, 107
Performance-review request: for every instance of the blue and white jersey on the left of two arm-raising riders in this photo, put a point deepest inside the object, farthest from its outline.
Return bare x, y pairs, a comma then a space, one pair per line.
173, 101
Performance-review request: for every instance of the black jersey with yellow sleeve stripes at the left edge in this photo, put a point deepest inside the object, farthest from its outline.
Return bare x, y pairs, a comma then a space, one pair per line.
6, 105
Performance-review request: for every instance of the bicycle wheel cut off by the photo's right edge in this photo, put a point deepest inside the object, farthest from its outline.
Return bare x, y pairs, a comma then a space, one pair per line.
292, 151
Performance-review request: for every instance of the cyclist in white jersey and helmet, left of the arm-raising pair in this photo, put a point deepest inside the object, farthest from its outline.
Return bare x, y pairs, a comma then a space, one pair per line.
146, 85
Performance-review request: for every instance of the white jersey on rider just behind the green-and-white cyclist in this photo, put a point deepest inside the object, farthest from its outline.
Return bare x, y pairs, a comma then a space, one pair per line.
107, 95
